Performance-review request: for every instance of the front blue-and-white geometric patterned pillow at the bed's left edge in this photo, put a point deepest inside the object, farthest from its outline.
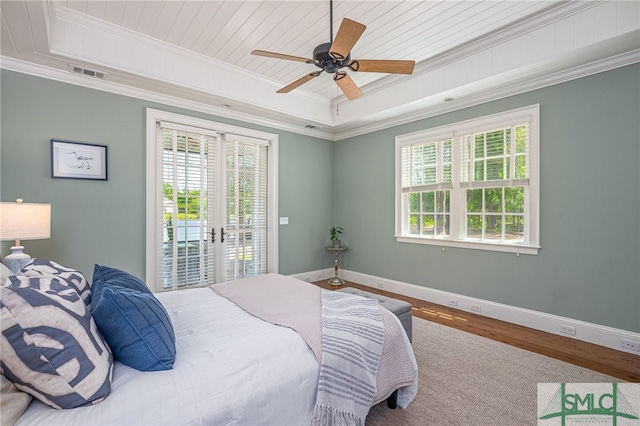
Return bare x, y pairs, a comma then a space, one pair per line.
50, 346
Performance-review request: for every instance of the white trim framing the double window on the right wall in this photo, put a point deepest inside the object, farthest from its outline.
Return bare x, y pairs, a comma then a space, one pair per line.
532, 115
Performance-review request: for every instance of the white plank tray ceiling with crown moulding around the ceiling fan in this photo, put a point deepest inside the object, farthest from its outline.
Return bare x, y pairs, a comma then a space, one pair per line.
197, 53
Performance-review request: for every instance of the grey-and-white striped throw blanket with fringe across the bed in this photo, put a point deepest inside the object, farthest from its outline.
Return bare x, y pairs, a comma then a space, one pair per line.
352, 341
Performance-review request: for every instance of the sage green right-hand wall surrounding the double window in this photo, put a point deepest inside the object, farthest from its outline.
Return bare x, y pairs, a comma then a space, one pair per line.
588, 267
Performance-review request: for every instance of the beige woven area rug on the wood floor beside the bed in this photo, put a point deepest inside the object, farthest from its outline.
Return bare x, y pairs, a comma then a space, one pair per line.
466, 379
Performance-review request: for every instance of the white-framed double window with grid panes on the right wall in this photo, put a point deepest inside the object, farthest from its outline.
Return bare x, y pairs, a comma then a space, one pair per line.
472, 184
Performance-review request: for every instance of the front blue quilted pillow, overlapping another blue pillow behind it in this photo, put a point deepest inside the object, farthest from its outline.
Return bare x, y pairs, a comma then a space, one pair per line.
135, 325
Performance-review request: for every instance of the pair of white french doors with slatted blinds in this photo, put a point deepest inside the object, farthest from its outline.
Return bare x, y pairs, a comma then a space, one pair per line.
211, 209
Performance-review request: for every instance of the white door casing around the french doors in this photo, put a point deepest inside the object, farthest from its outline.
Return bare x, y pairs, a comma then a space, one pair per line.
152, 203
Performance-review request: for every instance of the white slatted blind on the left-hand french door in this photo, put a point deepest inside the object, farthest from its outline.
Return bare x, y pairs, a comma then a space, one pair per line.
185, 167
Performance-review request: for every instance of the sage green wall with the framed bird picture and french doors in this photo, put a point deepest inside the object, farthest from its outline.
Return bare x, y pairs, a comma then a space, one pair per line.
104, 222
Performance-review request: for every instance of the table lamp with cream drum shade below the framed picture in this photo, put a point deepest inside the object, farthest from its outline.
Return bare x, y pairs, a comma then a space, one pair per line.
23, 221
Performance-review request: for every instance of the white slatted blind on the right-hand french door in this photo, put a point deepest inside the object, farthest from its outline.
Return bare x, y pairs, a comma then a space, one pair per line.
246, 181
